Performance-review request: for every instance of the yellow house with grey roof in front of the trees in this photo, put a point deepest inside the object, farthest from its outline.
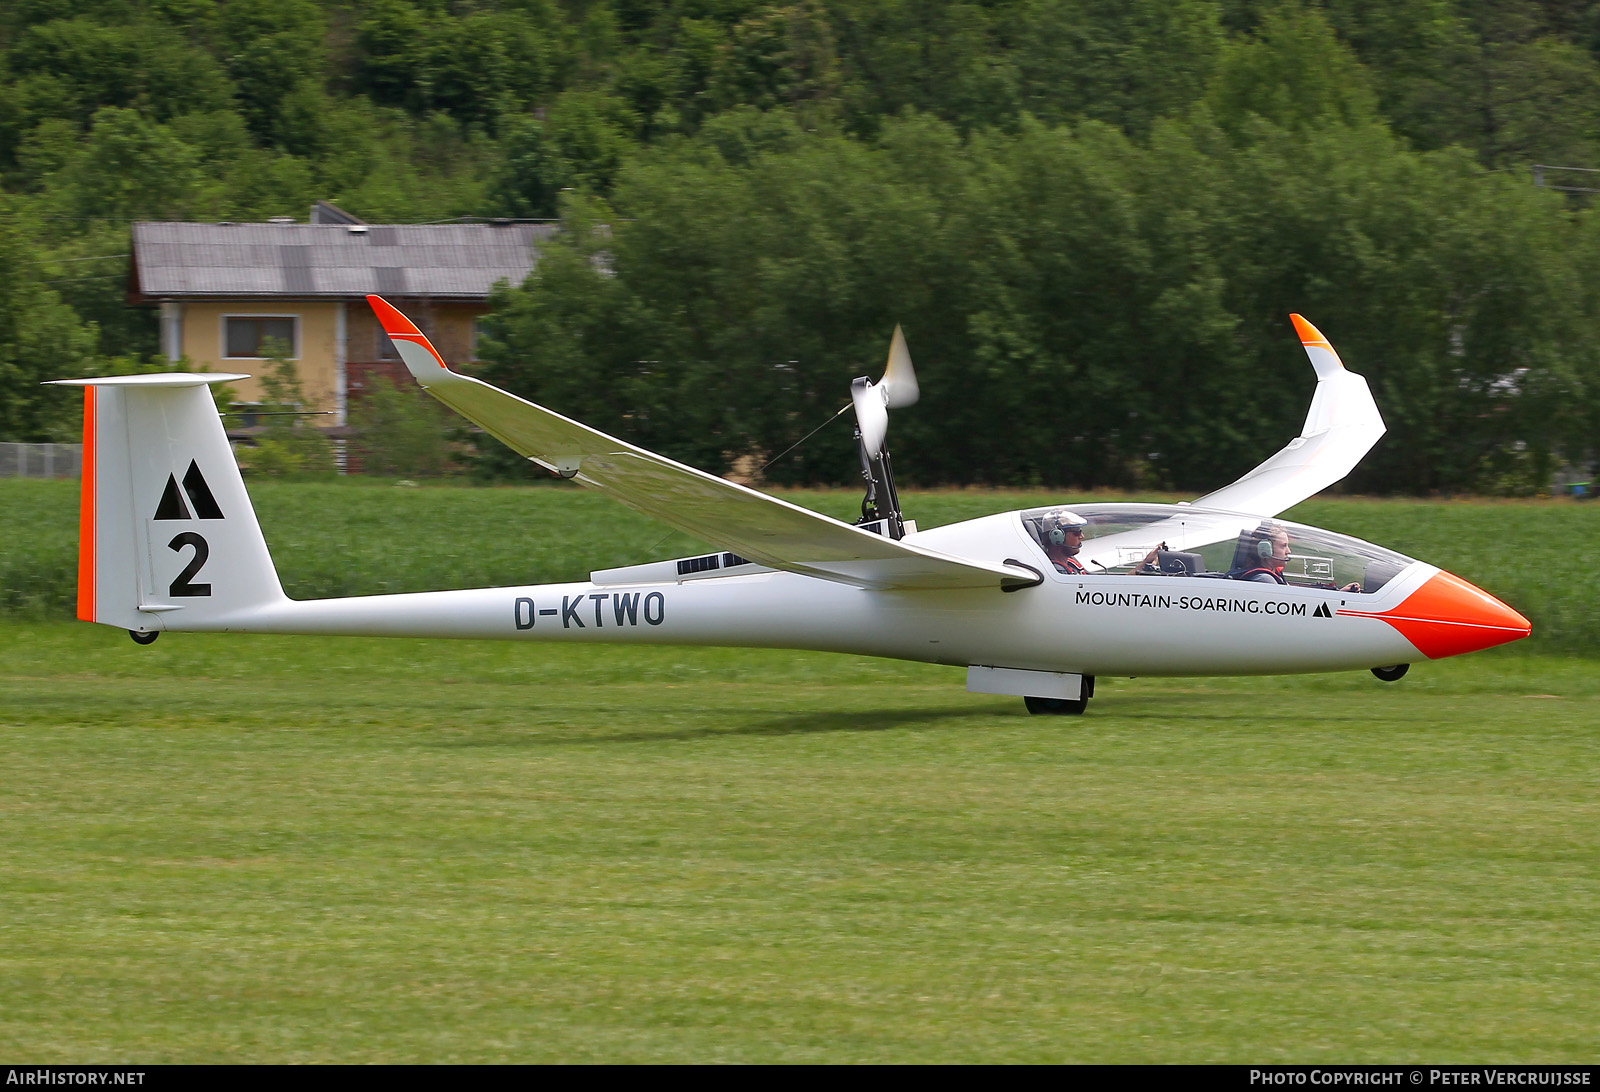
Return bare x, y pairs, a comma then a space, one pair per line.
230, 291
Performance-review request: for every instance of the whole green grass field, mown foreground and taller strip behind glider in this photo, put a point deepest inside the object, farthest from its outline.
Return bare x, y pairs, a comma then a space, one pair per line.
308, 849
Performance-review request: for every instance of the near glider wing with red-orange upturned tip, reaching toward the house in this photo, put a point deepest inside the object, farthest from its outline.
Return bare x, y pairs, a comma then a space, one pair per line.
756, 526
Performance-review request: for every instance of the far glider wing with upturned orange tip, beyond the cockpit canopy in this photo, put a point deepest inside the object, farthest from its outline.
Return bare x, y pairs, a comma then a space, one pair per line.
1340, 430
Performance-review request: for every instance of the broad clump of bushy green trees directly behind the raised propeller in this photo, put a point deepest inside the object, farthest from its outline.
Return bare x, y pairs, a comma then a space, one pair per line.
1084, 310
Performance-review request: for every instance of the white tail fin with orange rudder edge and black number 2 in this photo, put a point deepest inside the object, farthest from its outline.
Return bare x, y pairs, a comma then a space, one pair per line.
167, 537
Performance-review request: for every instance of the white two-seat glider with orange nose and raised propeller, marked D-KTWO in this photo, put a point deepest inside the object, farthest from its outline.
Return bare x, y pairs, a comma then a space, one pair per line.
1034, 604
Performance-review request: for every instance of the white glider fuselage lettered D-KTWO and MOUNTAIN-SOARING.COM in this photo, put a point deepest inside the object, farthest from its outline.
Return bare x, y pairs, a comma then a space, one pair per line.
1094, 624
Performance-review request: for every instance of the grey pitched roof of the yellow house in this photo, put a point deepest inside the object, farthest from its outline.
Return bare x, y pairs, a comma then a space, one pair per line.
290, 260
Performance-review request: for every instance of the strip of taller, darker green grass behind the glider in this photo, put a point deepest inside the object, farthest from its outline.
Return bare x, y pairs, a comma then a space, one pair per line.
361, 537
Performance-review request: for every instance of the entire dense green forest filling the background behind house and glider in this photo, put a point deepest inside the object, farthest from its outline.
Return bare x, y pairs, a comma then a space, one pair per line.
1092, 217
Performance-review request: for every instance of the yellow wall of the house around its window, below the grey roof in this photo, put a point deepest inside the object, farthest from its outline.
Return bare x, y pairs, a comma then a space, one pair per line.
318, 355
